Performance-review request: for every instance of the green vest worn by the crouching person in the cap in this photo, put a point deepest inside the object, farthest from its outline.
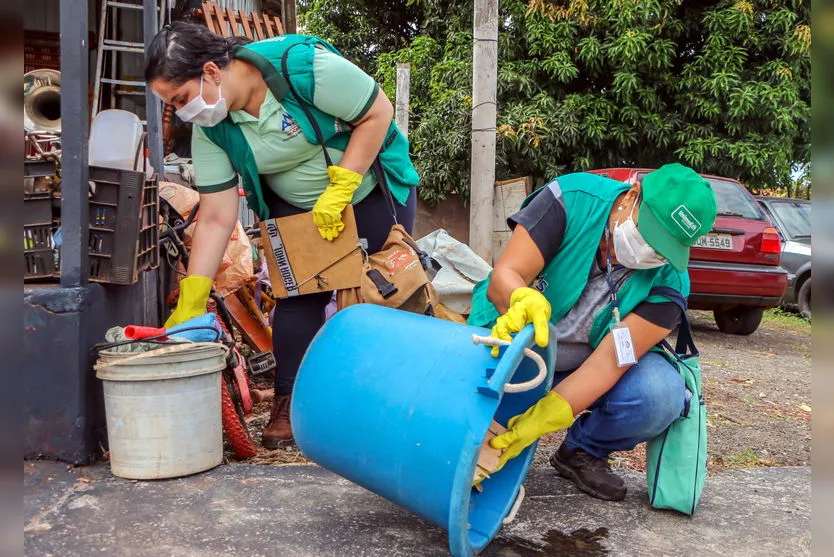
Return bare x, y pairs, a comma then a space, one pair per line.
588, 200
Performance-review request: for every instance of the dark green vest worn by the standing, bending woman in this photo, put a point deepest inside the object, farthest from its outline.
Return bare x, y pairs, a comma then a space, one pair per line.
269, 57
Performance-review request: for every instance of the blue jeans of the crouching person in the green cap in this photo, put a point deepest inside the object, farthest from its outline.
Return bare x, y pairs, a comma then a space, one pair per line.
646, 399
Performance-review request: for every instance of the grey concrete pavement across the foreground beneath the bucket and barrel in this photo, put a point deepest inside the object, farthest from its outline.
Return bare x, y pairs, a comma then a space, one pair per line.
254, 511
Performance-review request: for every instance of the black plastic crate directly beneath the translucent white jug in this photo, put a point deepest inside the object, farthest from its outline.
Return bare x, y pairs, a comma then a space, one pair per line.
124, 225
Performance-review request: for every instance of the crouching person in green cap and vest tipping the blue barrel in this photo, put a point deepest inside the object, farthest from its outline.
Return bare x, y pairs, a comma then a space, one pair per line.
605, 263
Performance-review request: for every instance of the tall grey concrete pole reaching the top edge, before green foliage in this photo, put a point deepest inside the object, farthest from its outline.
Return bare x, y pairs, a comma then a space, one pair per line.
484, 108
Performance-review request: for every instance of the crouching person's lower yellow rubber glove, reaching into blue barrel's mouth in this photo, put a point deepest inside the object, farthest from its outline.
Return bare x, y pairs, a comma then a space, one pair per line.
549, 414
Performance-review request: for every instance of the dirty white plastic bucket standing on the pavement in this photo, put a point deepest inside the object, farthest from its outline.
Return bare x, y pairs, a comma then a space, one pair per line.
163, 410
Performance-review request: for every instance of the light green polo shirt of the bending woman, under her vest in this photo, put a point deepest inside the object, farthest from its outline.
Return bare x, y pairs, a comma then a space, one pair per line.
291, 166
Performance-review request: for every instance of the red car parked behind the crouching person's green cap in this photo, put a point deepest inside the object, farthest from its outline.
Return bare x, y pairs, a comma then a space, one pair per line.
734, 270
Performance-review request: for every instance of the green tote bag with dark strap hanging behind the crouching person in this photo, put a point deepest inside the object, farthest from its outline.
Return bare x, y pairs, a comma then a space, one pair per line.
676, 460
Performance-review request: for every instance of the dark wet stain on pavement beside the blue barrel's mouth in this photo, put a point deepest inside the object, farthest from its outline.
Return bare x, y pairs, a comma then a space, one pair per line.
579, 543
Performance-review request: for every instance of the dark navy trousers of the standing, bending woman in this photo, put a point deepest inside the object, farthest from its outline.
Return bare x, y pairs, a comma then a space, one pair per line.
298, 319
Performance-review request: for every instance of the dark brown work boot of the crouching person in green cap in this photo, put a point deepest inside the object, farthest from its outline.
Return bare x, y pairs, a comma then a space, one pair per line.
590, 474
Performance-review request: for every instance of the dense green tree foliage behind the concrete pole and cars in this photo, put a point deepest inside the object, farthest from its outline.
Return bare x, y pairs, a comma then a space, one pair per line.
723, 86
